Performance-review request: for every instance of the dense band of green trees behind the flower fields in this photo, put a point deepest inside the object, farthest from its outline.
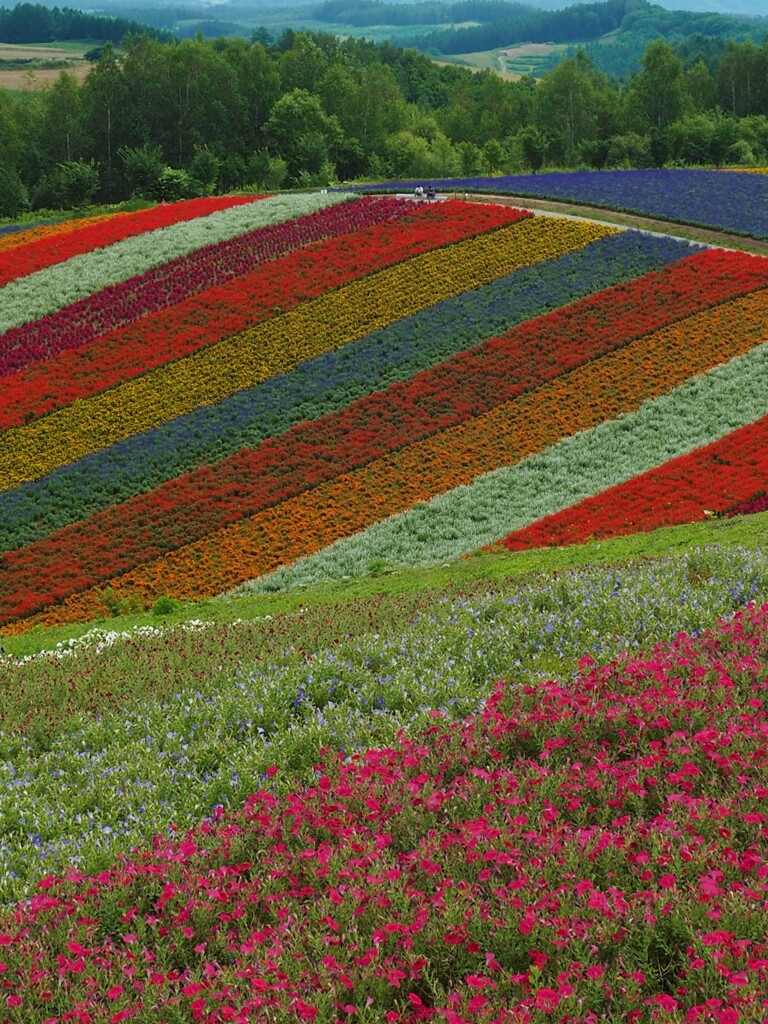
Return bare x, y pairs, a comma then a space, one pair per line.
172, 120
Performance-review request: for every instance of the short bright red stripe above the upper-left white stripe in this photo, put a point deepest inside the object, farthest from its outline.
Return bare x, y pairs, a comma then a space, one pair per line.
45, 252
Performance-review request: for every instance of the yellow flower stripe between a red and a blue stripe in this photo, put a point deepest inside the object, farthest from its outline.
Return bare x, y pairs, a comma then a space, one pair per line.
280, 345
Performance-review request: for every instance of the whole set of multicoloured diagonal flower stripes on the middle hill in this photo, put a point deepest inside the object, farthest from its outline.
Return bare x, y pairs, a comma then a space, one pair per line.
294, 372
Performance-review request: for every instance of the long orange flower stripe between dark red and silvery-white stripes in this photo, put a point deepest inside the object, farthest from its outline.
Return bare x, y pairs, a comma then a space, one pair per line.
619, 382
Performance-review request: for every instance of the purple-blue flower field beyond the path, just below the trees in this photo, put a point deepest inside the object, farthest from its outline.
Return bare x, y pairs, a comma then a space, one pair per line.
732, 202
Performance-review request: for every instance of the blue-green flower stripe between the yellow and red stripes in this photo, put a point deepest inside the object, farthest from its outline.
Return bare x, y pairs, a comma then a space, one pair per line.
322, 386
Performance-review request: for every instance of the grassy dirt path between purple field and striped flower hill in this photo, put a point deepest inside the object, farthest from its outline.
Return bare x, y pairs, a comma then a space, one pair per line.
708, 236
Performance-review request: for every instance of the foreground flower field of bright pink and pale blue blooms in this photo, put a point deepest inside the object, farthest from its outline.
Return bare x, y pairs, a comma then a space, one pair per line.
533, 847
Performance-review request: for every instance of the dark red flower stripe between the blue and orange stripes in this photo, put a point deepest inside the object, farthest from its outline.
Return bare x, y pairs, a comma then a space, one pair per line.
177, 514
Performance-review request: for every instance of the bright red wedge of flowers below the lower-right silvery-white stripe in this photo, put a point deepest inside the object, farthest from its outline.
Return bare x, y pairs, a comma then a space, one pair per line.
712, 479
